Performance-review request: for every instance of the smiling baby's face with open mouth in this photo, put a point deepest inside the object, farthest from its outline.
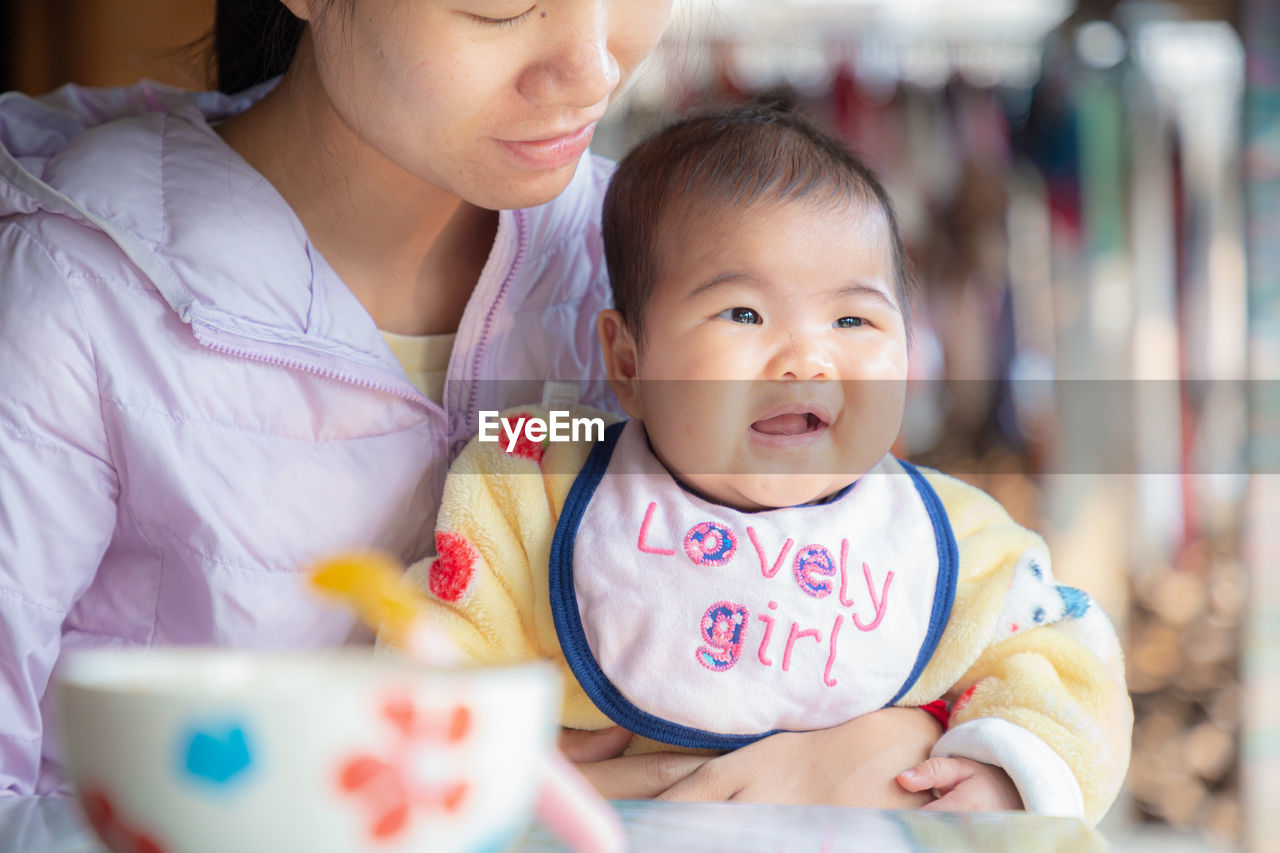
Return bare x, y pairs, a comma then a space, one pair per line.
775, 354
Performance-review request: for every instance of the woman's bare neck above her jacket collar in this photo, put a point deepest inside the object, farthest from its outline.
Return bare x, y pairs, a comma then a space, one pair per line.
410, 252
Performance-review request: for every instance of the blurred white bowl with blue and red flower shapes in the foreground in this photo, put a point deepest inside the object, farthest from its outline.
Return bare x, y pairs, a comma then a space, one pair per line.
184, 751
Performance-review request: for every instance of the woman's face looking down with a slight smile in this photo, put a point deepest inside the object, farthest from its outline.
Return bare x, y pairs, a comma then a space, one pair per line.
491, 101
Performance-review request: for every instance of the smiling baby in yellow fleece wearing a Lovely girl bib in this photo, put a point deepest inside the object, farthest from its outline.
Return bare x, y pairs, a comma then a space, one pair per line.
744, 555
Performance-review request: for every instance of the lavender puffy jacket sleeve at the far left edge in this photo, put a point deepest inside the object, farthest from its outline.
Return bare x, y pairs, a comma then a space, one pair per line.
58, 487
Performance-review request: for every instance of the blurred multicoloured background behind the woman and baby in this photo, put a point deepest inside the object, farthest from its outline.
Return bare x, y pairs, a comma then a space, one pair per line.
1091, 197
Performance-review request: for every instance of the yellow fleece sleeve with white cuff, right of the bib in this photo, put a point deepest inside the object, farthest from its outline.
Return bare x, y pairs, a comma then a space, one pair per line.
1034, 668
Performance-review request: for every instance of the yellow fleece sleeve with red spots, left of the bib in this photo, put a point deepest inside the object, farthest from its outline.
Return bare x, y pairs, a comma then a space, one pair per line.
488, 583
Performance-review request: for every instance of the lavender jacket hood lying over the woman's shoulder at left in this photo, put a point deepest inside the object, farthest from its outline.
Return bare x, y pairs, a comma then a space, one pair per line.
143, 166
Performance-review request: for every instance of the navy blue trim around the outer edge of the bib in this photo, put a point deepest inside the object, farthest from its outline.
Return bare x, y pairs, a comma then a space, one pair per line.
602, 691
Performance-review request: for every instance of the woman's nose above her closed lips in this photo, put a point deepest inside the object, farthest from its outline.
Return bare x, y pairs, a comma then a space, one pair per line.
578, 70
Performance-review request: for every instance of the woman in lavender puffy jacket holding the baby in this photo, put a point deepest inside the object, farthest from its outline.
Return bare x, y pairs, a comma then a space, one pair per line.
200, 300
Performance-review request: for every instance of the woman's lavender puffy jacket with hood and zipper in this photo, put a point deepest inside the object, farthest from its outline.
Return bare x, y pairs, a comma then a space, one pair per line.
194, 407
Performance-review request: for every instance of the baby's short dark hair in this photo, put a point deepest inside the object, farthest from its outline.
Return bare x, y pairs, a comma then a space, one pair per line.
729, 159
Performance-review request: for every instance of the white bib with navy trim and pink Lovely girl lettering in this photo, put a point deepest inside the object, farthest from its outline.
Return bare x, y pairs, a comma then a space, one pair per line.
706, 627
